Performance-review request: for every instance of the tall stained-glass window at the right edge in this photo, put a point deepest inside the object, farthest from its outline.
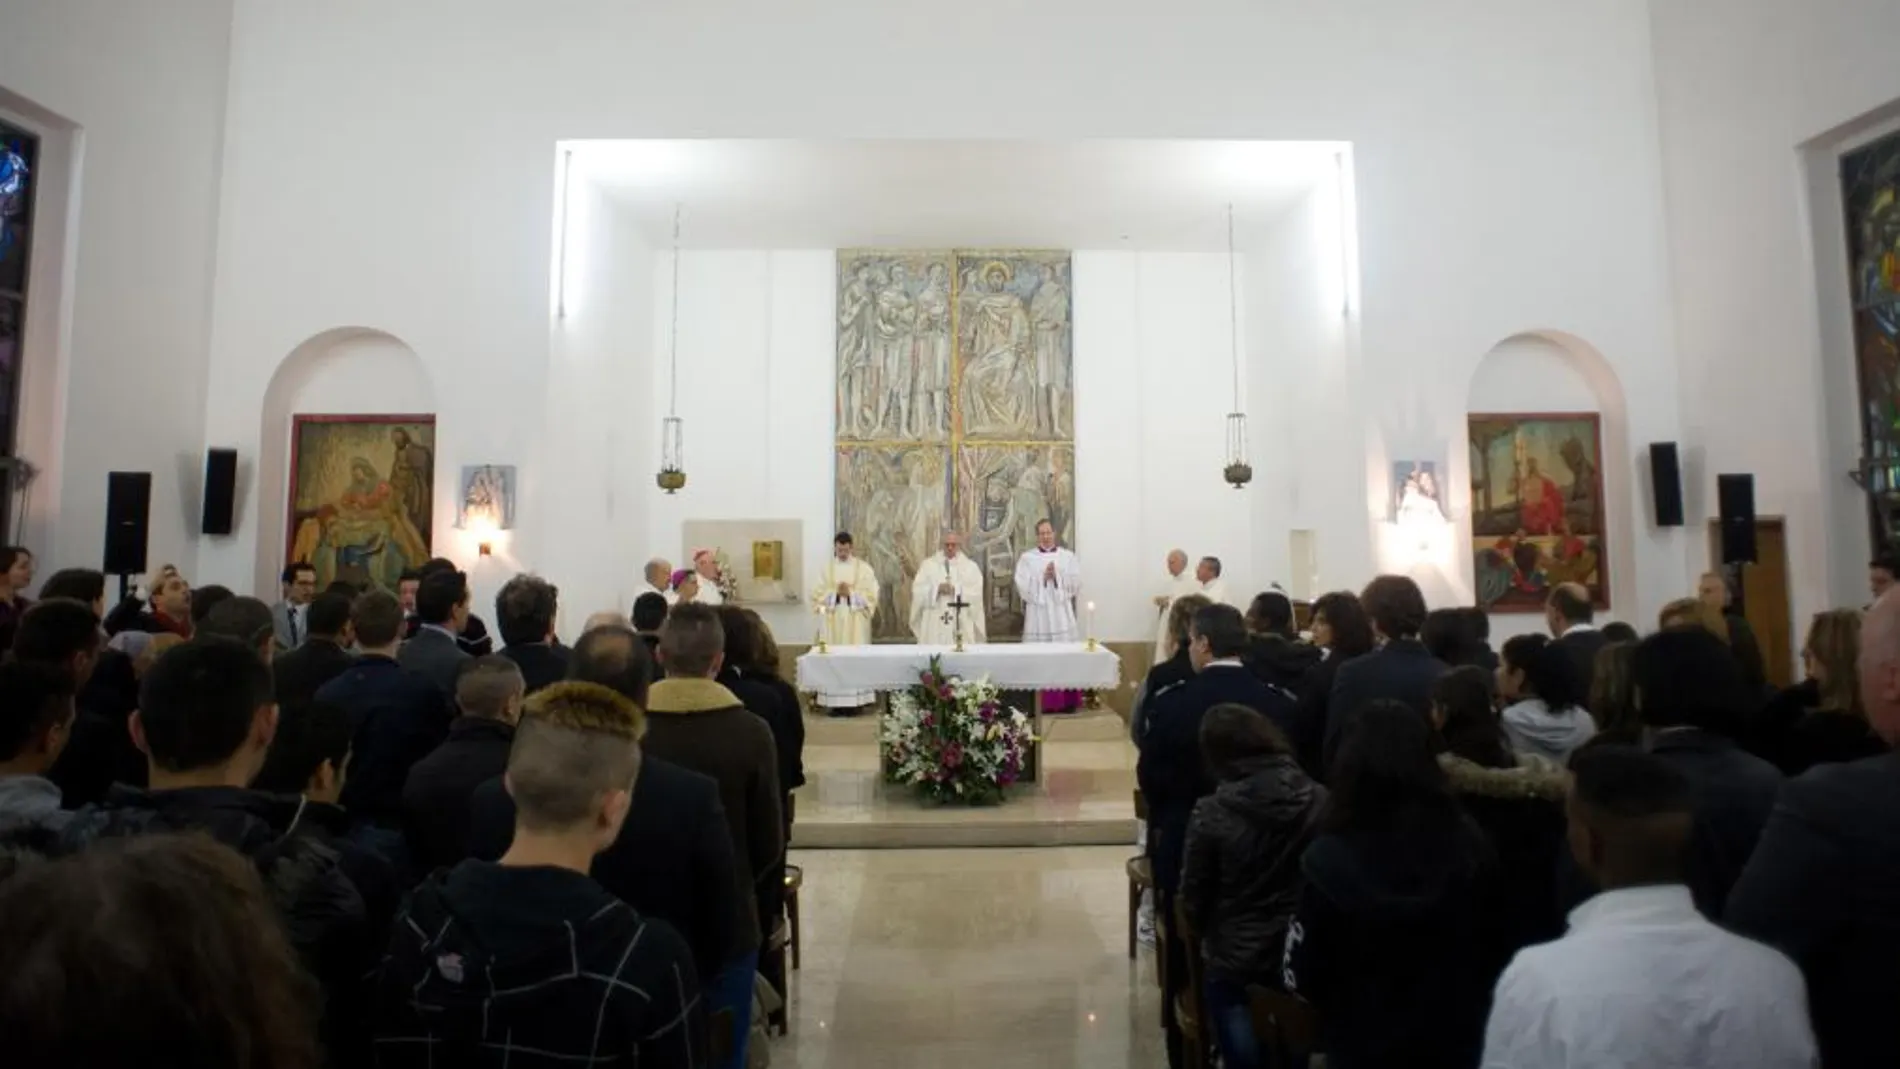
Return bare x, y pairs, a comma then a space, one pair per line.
1871, 197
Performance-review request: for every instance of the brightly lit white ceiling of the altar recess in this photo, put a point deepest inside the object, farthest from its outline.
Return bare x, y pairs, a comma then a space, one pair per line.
1029, 195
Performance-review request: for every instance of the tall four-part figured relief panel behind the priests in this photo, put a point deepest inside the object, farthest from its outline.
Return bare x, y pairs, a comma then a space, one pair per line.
955, 403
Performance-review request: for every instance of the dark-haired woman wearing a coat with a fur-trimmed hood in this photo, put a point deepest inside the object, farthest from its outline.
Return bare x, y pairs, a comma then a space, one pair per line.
1515, 798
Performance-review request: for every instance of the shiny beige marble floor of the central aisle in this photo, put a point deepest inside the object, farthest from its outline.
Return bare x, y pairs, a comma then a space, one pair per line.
957, 960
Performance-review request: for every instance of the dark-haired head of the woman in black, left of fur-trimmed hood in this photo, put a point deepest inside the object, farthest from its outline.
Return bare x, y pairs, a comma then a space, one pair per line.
1386, 776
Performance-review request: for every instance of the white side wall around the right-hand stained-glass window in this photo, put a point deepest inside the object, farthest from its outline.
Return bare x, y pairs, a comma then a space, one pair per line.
1743, 86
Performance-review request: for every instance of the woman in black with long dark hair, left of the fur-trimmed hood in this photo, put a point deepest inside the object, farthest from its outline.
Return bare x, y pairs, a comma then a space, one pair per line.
1388, 941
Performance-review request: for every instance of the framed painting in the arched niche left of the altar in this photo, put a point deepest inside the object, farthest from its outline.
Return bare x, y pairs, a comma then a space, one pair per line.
362, 497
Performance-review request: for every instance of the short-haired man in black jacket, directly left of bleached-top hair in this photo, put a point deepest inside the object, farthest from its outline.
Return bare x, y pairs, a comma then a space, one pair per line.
436, 800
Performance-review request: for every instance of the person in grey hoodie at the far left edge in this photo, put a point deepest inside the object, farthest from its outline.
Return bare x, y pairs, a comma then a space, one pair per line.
35, 721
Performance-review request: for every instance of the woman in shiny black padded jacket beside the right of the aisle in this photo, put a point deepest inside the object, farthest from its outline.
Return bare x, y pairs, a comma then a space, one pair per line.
1242, 872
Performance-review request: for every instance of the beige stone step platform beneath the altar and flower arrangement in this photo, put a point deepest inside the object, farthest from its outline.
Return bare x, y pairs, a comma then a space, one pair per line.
1084, 797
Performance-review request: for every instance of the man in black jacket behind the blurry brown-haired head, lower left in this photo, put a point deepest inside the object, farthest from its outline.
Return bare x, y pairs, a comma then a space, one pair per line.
206, 721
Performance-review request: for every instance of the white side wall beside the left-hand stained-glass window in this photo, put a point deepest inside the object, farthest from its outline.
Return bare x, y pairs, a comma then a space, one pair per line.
132, 98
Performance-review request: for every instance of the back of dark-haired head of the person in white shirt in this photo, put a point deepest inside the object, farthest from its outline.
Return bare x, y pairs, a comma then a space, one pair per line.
1631, 816
